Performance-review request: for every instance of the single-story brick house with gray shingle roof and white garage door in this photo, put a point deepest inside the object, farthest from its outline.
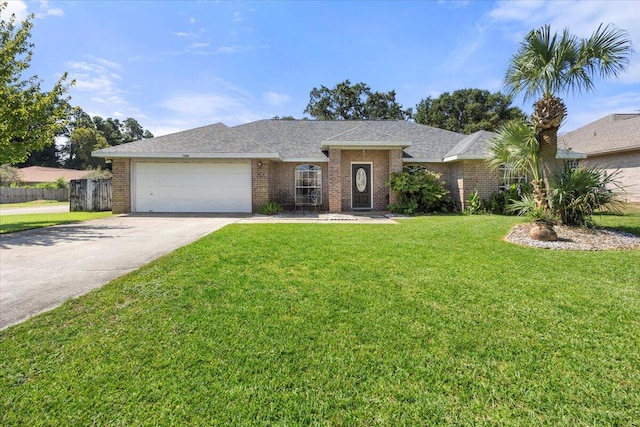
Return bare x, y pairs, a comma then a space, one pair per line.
337, 166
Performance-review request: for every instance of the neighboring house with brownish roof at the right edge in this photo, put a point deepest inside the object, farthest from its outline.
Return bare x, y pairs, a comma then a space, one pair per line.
612, 142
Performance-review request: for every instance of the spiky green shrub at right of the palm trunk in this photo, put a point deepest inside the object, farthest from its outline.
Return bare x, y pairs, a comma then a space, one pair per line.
579, 192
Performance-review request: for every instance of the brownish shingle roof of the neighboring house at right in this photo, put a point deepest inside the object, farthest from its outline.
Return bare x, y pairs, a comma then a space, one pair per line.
615, 132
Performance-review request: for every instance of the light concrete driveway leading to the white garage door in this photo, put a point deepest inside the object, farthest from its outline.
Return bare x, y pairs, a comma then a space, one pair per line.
40, 269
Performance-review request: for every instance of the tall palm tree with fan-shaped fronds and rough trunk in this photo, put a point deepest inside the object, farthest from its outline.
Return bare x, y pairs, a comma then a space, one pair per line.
547, 65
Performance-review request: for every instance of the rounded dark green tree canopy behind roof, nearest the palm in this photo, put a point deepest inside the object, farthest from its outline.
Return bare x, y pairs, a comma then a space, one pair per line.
467, 111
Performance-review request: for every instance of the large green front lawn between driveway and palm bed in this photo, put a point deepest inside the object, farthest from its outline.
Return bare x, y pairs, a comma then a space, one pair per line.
434, 321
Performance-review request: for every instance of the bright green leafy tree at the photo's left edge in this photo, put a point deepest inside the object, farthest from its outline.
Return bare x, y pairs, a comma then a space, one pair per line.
29, 117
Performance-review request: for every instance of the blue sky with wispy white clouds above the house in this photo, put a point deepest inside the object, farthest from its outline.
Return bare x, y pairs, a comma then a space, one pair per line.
176, 65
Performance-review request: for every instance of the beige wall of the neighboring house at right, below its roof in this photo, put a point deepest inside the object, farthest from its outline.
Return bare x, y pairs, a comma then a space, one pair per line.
629, 165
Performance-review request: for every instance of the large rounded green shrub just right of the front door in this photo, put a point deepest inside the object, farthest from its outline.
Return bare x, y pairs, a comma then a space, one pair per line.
419, 191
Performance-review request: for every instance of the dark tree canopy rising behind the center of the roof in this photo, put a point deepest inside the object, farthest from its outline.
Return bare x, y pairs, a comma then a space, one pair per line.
354, 102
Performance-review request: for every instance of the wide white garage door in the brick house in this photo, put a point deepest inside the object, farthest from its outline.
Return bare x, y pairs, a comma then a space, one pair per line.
192, 187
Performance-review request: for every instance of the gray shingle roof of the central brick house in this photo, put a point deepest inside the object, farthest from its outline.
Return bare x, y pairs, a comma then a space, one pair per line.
304, 139
